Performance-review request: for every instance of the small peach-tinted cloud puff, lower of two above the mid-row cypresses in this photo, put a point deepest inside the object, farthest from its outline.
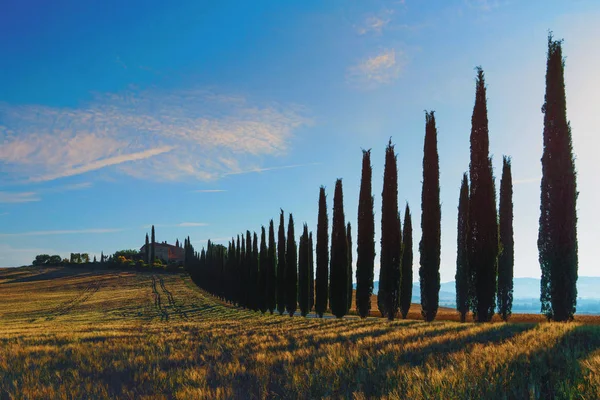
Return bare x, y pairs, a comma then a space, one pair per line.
380, 69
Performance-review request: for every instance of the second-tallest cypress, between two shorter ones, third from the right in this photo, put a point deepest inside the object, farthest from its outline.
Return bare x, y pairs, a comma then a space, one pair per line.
483, 220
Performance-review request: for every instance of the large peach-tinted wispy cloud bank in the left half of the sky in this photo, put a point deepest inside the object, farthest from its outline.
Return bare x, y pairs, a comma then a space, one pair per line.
150, 135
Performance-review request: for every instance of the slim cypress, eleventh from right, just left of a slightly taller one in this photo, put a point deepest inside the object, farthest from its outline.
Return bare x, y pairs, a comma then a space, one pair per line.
322, 286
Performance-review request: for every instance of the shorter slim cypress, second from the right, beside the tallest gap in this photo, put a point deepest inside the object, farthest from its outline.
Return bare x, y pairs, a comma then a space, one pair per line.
507, 257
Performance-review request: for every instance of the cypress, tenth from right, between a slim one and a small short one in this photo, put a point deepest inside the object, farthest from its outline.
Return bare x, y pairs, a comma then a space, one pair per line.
338, 296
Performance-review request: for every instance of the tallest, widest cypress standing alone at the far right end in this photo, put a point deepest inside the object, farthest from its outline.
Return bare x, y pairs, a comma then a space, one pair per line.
557, 240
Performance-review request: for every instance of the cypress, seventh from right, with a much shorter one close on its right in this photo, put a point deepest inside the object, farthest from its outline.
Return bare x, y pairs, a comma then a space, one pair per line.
389, 273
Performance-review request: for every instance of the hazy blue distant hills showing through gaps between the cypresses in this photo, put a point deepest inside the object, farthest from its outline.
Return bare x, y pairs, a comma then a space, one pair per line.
526, 295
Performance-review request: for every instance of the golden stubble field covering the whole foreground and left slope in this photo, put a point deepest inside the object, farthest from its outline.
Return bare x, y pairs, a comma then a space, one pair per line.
67, 333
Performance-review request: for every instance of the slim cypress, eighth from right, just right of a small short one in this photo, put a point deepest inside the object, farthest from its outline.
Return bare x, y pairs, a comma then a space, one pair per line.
365, 241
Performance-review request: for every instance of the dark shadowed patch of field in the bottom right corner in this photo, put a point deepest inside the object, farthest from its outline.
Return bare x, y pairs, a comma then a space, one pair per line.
551, 372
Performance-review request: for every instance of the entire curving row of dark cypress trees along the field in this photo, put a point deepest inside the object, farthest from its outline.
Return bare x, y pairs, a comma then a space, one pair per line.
277, 276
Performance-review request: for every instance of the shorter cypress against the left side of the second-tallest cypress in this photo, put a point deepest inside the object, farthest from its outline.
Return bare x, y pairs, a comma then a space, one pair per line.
462, 252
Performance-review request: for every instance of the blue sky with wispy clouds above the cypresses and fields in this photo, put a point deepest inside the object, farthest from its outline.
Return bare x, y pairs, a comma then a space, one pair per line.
205, 118
